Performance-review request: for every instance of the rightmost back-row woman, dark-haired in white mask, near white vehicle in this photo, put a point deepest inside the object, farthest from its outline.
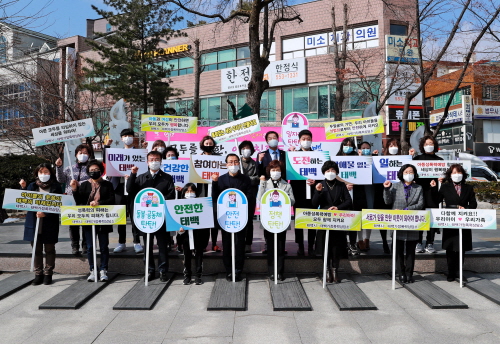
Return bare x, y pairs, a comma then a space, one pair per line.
428, 147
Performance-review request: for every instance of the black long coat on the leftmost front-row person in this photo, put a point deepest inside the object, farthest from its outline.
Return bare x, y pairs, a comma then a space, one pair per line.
49, 229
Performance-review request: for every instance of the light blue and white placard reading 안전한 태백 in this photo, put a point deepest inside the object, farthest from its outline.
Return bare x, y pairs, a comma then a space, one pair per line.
191, 213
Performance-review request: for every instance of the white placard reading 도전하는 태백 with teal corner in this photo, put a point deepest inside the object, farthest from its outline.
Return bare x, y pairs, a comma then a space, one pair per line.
302, 165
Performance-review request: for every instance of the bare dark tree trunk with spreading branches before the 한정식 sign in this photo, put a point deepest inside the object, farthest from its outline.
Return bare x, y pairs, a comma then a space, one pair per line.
261, 20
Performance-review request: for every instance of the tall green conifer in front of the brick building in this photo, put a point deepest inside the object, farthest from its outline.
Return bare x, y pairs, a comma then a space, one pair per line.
127, 68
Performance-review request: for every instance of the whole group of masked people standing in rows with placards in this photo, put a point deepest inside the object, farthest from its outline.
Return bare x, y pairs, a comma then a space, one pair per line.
86, 181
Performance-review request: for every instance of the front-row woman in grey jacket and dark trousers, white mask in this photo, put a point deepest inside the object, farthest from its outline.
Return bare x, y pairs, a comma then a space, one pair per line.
406, 195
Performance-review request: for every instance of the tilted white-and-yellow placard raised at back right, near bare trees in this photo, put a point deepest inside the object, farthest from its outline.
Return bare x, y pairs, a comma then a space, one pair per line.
354, 127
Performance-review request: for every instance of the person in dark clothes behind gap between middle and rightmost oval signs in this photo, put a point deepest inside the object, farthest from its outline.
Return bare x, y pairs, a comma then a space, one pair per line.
249, 168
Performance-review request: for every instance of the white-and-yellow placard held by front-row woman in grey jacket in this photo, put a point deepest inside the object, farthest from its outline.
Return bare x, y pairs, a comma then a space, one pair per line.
414, 220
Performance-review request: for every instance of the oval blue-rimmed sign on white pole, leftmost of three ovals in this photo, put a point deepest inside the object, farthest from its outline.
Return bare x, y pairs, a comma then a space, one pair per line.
149, 216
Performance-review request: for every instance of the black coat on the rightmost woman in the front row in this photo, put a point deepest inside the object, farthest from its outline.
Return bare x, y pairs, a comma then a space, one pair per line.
467, 199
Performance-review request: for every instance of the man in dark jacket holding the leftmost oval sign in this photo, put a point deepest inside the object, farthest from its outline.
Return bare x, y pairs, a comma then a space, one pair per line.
163, 182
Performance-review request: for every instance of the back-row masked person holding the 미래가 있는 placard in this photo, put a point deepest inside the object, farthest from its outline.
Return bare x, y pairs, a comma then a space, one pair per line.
127, 137
